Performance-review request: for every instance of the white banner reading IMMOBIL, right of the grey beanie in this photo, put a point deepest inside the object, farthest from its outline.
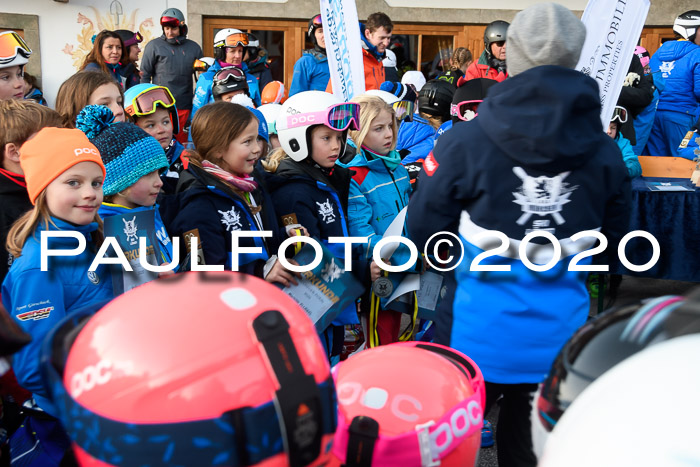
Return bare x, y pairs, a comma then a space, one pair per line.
613, 28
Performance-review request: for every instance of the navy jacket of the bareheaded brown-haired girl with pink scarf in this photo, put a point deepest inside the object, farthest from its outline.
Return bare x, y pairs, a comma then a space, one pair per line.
209, 209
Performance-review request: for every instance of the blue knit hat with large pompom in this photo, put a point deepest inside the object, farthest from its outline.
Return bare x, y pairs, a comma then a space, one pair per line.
127, 151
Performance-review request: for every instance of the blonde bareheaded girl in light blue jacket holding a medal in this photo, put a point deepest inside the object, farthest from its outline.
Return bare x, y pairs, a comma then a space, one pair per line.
379, 190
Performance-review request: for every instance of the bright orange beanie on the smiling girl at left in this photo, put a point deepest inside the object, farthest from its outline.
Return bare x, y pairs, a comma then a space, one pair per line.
50, 153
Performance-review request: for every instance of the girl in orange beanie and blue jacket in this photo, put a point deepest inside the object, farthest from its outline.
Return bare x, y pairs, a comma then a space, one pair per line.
64, 175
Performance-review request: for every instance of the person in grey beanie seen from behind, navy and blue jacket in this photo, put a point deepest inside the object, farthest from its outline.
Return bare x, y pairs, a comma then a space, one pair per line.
523, 167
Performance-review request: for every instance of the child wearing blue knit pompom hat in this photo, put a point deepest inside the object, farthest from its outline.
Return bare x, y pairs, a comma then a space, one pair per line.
133, 161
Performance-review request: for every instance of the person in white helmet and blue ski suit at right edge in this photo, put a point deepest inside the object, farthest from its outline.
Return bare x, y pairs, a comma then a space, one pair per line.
679, 103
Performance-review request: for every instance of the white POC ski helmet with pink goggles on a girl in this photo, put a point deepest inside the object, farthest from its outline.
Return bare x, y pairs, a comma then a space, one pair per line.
297, 111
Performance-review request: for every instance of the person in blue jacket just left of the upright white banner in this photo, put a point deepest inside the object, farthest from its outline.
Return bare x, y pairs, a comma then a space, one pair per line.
311, 71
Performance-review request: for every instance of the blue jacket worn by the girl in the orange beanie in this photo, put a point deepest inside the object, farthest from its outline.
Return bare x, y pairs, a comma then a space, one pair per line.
38, 299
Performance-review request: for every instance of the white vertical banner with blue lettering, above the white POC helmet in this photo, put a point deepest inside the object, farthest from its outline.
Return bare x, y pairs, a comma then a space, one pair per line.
341, 30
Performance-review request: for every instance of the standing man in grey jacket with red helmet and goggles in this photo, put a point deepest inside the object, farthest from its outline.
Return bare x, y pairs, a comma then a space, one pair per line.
167, 61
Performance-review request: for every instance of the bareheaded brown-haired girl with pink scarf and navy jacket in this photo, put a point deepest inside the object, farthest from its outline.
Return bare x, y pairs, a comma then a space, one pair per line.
217, 195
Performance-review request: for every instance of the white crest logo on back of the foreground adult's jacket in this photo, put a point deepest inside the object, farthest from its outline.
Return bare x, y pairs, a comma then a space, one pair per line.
542, 195
